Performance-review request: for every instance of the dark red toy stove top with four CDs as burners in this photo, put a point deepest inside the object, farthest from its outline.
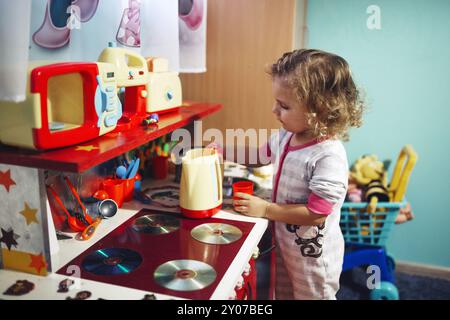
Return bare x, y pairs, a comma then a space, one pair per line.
129, 255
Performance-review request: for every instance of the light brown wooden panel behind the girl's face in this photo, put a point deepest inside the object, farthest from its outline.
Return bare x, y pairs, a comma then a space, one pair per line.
243, 38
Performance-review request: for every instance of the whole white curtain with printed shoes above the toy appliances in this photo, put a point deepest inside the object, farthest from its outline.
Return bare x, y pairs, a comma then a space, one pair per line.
78, 30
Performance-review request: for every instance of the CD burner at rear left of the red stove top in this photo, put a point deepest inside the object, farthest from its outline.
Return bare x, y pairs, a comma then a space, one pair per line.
156, 223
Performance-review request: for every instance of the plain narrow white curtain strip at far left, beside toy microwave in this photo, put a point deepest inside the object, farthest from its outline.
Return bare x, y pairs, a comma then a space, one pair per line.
14, 35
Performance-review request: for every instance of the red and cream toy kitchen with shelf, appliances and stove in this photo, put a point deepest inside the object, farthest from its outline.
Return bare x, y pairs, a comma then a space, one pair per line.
71, 225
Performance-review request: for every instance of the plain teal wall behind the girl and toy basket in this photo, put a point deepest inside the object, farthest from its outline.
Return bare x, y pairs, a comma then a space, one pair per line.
404, 69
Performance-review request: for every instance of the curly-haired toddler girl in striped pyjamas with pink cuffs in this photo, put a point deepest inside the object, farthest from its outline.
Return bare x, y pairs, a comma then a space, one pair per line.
316, 102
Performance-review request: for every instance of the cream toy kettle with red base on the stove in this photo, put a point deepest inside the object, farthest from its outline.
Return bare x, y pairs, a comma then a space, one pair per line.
201, 183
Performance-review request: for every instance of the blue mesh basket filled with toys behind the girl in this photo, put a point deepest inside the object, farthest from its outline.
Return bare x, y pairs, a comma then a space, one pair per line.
369, 222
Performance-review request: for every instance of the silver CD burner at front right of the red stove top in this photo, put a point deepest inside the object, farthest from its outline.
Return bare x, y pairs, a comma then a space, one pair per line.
184, 275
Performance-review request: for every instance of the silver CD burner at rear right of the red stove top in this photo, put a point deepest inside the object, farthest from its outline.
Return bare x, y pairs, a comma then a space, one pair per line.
216, 233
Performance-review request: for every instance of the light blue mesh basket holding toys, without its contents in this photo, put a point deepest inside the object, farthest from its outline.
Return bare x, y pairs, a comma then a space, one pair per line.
361, 227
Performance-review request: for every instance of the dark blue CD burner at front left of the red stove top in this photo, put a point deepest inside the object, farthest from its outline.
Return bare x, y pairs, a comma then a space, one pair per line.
111, 261
